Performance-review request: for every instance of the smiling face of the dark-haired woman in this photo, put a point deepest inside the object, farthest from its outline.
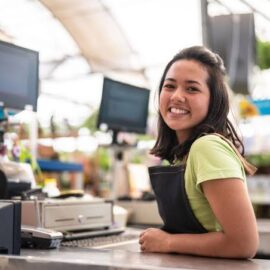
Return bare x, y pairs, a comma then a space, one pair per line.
184, 97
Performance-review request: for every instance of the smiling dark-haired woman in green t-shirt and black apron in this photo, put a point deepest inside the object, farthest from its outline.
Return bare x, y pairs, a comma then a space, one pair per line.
196, 137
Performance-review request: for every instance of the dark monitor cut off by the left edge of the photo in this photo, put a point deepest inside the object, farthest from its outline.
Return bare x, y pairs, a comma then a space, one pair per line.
18, 76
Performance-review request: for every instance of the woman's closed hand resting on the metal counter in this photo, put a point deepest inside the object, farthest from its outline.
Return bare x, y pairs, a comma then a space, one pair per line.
154, 240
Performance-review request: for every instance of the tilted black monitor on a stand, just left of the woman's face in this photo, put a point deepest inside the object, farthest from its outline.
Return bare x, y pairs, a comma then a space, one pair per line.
124, 107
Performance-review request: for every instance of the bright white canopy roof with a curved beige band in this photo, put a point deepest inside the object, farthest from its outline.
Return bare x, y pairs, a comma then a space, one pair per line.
130, 40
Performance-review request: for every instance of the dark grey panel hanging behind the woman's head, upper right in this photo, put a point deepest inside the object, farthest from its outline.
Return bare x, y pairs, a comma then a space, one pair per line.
233, 38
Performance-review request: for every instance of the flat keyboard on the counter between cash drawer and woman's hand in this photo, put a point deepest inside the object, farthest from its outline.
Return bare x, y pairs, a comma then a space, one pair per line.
103, 241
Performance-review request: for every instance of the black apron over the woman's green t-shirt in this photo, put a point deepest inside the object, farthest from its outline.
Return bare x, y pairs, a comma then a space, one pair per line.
169, 187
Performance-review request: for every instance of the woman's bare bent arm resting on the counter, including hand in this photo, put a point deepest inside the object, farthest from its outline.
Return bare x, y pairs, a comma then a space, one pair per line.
230, 203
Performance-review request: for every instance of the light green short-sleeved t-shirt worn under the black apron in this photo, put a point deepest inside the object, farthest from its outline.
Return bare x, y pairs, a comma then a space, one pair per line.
210, 158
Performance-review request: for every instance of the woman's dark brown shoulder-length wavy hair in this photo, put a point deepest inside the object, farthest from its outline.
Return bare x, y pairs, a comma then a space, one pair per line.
167, 146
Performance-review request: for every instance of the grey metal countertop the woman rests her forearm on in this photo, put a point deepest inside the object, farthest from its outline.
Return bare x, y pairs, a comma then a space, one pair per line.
127, 256
